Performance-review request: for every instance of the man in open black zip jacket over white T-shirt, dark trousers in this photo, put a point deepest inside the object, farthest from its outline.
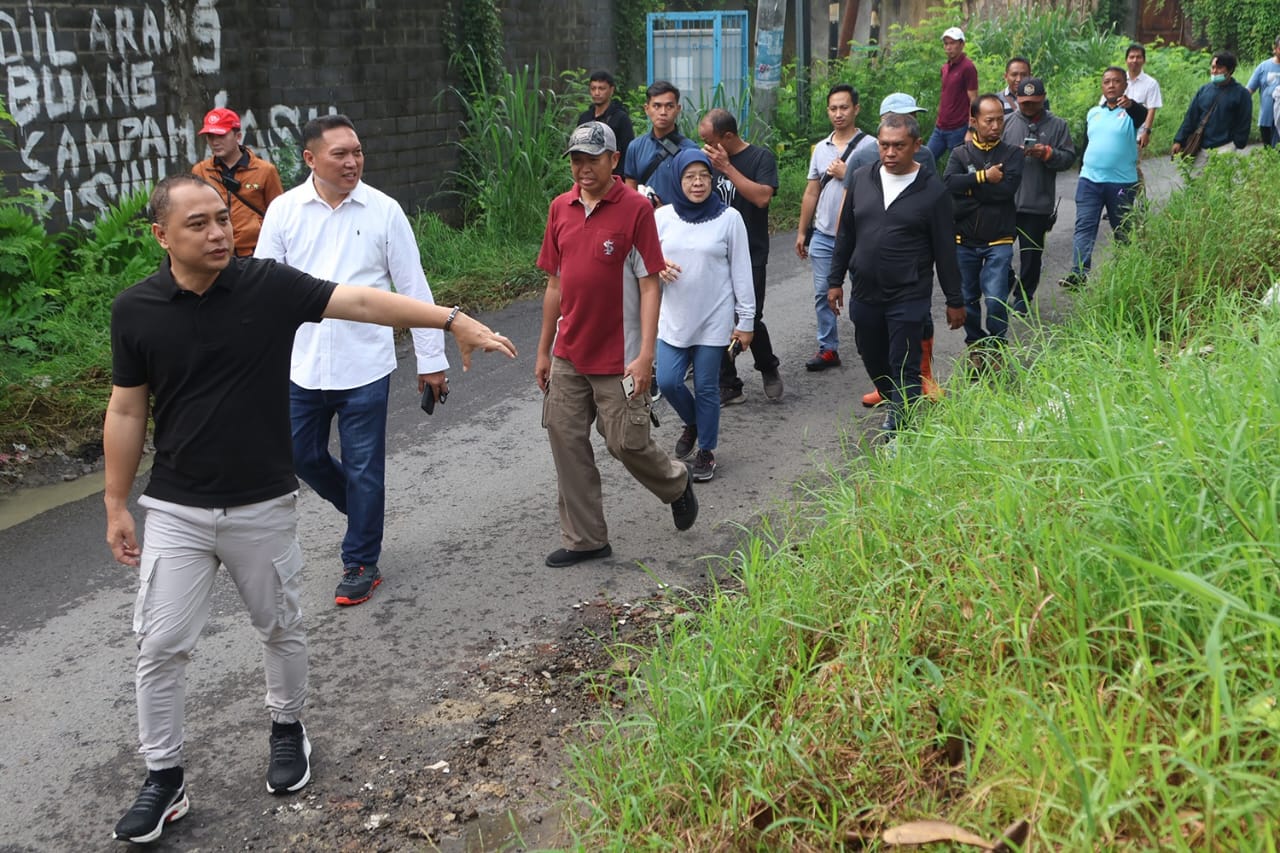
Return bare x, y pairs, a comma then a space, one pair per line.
897, 227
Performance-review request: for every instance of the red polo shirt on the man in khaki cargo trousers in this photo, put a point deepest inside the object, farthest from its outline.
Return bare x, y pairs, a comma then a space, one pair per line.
591, 253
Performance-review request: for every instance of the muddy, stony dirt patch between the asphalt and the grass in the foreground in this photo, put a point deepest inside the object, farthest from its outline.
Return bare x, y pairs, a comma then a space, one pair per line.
501, 784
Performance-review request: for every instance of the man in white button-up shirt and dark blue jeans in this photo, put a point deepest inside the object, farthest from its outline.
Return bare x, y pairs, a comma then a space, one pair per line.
340, 229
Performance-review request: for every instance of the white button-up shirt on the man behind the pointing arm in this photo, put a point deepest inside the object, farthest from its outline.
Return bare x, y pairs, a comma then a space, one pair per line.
367, 240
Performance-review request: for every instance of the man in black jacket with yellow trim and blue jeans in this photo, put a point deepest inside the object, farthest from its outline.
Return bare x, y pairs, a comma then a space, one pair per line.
984, 176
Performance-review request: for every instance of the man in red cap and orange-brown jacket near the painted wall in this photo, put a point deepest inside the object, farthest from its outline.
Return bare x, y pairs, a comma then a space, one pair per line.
249, 183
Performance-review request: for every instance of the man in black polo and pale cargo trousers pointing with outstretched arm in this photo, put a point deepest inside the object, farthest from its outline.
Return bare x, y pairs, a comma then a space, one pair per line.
209, 339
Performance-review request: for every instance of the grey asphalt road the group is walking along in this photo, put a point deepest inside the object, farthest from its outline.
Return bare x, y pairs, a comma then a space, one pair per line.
472, 514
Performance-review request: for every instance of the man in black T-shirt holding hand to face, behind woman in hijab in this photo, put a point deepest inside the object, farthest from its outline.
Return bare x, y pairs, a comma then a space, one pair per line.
747, 177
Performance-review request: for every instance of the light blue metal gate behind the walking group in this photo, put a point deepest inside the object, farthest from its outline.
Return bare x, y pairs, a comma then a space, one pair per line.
706, 56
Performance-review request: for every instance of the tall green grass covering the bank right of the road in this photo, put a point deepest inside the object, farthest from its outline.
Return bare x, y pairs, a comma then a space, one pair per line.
1058, 600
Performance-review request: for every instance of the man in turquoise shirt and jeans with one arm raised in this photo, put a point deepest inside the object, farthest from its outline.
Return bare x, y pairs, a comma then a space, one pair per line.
1109, 171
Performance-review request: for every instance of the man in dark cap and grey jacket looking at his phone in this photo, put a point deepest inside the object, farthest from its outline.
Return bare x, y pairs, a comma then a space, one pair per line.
1048, 149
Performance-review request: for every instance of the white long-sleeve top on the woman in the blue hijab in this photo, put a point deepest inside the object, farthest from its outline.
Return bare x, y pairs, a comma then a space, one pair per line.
715, 282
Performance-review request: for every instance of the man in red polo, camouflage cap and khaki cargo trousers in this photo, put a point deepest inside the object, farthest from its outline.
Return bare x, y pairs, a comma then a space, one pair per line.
602, 258
